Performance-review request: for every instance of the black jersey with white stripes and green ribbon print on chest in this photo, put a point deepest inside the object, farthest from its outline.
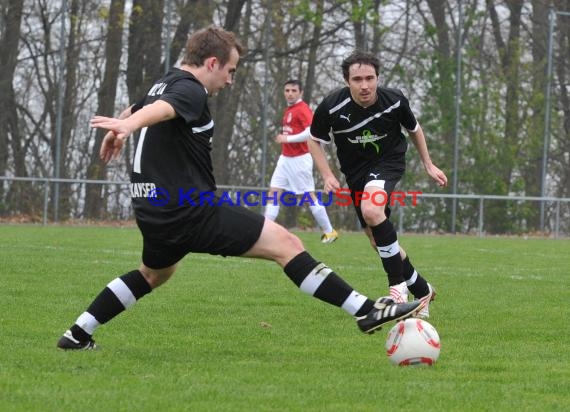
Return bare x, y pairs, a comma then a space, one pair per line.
364, 136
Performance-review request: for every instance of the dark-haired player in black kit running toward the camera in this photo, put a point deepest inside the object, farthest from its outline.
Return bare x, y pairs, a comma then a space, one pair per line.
365, 122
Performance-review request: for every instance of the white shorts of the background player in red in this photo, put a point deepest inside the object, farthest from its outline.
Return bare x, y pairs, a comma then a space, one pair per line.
294, 174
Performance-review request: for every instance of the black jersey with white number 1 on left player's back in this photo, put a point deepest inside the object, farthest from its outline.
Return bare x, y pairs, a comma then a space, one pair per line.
172, 162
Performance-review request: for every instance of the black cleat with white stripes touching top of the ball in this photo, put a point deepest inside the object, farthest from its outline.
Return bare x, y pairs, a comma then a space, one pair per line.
384, 311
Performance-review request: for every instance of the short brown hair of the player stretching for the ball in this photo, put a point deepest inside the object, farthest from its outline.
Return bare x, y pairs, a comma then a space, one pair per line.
211, 41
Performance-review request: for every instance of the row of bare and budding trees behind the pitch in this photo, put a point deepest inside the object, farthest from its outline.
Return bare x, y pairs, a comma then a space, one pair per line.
63, 61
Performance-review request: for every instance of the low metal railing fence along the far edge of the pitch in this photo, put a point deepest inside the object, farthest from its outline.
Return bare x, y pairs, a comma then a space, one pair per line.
477, 214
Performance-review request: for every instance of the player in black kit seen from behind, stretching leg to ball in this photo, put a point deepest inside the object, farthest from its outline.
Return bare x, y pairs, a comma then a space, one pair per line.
171, 166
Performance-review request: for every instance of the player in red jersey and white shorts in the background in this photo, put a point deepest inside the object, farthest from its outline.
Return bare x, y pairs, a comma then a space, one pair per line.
294, 169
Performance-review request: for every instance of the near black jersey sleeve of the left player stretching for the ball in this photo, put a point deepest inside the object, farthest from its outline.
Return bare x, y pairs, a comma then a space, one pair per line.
187, 97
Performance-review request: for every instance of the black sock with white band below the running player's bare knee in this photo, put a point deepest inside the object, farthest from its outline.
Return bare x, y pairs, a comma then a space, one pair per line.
389, 250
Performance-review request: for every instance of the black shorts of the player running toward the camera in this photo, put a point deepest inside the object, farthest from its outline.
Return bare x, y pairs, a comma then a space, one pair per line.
391, 173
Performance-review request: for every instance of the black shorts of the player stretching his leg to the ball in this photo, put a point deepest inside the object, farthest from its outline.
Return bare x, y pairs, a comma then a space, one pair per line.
219, 230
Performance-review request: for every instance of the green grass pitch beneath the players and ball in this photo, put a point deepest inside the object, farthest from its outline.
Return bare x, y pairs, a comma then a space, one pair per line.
230, 334
